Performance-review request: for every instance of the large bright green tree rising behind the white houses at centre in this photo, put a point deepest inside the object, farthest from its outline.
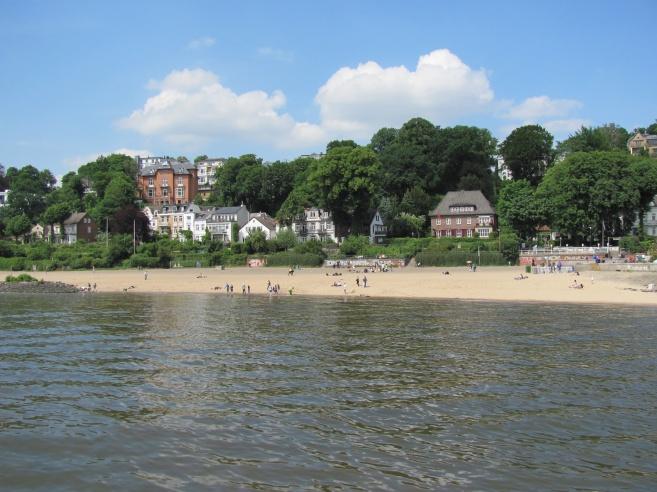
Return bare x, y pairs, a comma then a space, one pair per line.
346, 183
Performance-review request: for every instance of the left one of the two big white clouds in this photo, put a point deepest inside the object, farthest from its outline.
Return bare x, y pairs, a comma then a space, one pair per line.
192, 106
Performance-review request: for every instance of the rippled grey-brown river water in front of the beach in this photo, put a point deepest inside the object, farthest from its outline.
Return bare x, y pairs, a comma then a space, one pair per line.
196, 392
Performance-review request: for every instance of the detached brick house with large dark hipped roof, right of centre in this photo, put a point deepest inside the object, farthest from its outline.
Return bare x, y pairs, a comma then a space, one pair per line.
463, 214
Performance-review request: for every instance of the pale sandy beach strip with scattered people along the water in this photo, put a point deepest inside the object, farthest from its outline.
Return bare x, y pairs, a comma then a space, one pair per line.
487, 283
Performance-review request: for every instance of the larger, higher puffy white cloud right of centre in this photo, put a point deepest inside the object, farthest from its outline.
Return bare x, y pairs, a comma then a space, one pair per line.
358, 101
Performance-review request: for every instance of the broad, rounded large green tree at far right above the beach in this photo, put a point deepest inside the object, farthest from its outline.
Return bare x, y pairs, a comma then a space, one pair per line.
589, 193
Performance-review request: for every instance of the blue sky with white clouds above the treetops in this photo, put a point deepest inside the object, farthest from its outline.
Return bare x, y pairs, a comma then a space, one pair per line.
280, 79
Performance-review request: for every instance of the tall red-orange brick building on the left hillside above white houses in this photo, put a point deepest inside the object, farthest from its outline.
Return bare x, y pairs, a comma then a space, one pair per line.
167, 182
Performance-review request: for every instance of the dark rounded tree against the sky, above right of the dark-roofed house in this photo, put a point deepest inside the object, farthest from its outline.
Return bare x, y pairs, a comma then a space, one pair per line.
528, 153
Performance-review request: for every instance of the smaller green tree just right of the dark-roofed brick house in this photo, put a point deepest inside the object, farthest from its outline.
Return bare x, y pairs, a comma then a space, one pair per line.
518, 207
